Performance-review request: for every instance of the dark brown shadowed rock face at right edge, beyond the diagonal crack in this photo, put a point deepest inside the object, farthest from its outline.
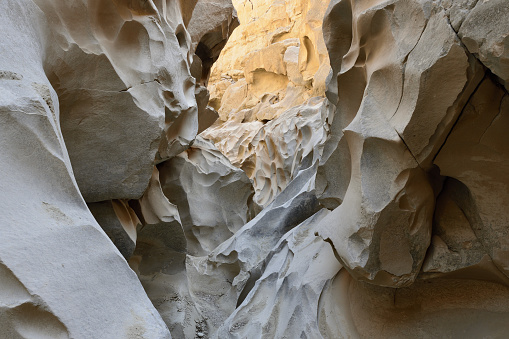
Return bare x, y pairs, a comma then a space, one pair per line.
475, 154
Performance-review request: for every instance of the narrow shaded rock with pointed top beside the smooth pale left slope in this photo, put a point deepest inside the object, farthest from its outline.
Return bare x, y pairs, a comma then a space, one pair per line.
159, 258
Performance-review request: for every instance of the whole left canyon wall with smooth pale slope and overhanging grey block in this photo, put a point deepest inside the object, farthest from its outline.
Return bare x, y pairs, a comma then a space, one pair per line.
93, 94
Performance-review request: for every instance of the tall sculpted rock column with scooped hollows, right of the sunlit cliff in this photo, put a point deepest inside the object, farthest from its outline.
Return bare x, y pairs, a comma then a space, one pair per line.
379, 90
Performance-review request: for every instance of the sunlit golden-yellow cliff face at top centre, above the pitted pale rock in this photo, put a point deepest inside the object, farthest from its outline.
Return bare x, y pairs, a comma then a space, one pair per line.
268, 29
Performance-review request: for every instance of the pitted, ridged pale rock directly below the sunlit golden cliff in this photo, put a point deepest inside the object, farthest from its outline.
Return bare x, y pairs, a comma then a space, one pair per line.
271, 154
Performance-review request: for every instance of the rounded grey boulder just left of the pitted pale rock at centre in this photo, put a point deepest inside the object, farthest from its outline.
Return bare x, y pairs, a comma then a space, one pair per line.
214, 197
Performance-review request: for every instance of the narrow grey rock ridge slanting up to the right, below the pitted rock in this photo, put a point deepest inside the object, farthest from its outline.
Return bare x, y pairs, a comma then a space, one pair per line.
221, 280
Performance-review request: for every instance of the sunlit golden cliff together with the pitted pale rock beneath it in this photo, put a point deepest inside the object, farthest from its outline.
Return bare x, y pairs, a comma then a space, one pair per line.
269, 87
